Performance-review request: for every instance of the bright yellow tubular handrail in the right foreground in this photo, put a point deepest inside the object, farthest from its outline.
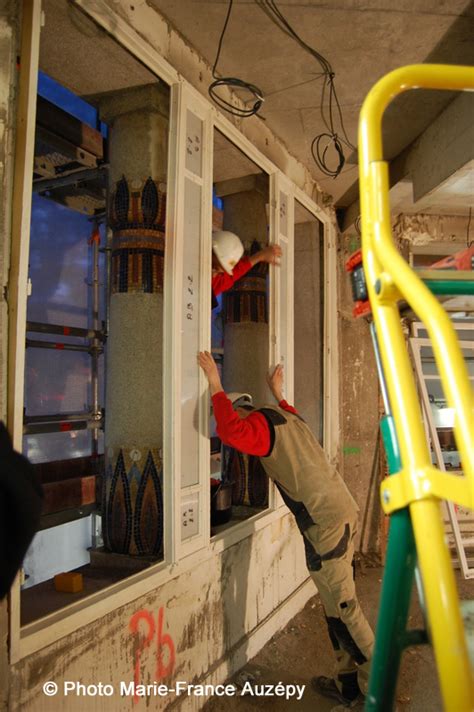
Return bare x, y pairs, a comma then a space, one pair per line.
419, 485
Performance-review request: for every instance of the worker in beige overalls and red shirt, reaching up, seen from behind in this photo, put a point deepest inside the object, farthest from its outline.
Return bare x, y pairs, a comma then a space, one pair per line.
325, 513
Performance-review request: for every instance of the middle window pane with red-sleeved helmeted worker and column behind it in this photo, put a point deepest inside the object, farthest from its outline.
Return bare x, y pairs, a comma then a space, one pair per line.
239, 324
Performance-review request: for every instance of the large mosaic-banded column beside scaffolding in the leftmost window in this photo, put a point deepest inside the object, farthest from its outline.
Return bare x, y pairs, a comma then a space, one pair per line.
132, 508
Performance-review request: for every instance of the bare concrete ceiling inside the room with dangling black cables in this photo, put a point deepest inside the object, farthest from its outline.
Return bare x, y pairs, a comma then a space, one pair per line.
363, 40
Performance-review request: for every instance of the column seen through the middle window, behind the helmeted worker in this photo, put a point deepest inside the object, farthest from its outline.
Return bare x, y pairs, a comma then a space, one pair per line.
246, 336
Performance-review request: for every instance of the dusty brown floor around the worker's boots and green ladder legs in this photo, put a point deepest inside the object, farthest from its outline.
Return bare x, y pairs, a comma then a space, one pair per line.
302, 650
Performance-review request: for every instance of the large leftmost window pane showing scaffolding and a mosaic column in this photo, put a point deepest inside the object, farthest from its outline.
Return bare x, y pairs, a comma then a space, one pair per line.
99, 181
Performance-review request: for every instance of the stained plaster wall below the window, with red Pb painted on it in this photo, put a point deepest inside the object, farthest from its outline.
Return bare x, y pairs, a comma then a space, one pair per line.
207, 611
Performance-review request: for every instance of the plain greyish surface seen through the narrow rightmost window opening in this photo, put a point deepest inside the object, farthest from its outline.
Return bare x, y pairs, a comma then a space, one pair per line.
307, 325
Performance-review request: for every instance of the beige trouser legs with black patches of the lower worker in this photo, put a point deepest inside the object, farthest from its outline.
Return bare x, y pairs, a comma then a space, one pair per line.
351, 635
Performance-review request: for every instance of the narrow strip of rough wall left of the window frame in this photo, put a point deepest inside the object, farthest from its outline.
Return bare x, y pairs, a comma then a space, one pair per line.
8, 39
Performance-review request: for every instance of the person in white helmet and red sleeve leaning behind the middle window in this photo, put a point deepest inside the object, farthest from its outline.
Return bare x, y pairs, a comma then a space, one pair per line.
228, 264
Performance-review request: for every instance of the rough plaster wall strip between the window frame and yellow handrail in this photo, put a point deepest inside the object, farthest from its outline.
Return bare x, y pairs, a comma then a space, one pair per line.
359, 405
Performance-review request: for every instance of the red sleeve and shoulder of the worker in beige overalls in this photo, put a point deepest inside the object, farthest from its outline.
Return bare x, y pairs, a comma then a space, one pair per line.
250, 435
